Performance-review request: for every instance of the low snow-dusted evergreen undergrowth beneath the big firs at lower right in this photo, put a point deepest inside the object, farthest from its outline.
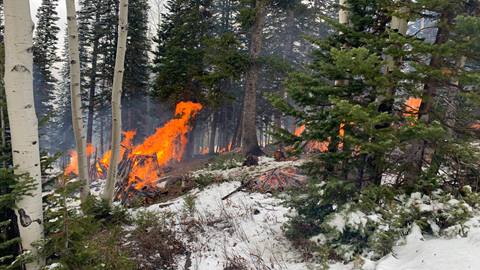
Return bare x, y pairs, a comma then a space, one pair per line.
335, 221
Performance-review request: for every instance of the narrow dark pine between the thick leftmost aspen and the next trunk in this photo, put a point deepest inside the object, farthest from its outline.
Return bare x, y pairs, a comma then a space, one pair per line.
44, 58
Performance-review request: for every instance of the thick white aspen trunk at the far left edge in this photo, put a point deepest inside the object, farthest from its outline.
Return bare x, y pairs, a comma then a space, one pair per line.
23, 120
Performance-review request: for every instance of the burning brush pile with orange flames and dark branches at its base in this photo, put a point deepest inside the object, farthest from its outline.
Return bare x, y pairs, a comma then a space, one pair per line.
142, 166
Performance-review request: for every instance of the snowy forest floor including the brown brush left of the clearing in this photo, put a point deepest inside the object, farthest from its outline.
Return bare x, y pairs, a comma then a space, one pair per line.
202, 231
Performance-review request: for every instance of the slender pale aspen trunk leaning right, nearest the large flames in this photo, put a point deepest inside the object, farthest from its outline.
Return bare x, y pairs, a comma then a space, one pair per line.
116, 100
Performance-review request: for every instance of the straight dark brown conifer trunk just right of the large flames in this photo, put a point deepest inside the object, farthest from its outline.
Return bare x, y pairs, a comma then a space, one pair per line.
249, 137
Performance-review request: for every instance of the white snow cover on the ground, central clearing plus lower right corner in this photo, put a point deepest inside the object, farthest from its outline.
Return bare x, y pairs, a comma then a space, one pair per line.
248, 227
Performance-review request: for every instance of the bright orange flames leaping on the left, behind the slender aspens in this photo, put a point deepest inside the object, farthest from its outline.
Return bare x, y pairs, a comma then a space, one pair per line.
167, 144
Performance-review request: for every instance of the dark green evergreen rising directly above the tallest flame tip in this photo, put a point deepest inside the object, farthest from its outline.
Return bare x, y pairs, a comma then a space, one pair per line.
179, 50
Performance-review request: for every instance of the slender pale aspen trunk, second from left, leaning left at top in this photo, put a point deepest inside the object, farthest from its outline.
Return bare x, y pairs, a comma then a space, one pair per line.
76, 98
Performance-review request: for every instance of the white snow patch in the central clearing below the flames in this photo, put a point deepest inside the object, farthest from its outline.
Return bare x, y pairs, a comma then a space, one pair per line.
247, 225
